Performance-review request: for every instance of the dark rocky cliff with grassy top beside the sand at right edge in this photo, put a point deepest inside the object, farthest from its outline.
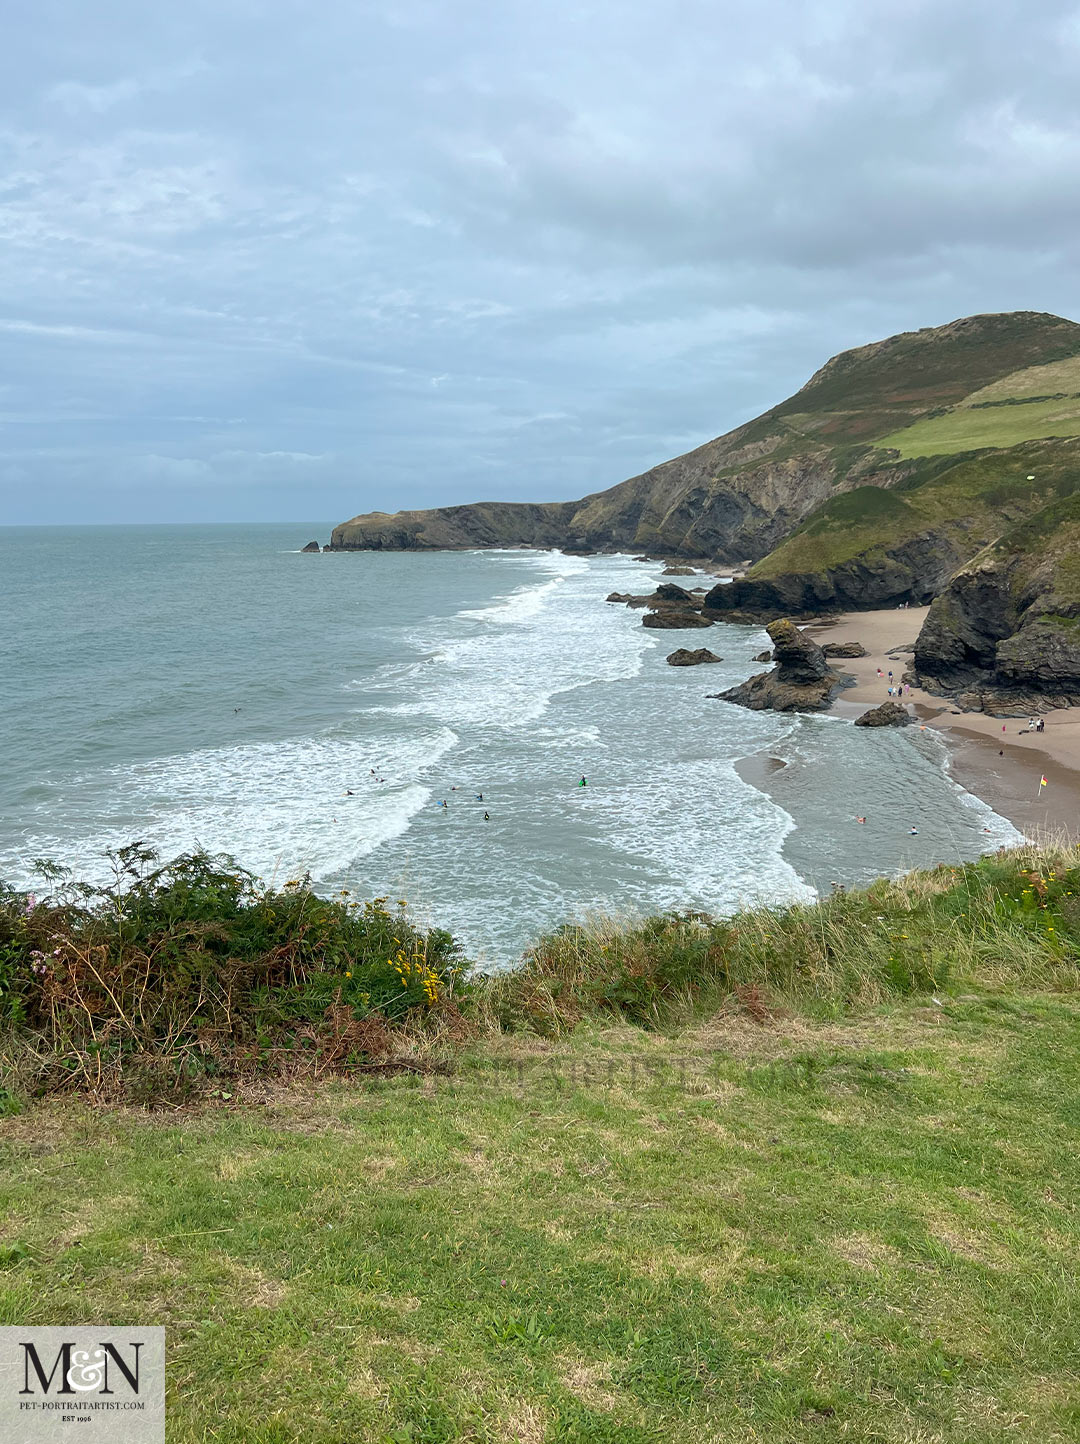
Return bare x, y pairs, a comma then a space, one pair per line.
1007, 627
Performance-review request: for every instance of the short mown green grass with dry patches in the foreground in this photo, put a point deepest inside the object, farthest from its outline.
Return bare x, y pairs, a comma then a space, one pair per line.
805, 1231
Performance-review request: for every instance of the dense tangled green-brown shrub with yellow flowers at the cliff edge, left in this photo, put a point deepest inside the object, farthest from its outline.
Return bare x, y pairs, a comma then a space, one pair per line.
190, 970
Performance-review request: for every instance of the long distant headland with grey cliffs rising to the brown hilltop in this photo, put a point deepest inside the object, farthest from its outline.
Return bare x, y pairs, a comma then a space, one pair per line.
740, 496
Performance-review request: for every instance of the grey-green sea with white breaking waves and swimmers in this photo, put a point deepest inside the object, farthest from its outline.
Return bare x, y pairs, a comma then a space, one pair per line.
210, 687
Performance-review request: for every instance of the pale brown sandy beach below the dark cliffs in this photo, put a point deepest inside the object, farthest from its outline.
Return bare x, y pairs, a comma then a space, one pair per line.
997, 759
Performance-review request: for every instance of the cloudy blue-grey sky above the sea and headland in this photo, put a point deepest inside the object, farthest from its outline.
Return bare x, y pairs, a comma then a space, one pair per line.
272, 262
